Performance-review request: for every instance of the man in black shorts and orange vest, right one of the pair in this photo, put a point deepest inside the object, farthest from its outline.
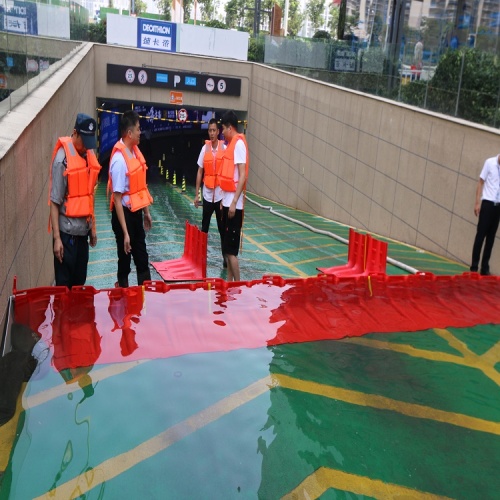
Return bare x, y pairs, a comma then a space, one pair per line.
232, 180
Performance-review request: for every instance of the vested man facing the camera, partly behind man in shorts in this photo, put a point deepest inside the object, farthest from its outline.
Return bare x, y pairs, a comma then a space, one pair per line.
209, 163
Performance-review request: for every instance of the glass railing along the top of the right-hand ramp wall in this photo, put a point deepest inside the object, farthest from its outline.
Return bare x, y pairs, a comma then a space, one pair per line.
467, 85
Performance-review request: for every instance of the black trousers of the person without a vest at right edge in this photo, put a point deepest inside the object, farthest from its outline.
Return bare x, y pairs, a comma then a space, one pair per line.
489, 218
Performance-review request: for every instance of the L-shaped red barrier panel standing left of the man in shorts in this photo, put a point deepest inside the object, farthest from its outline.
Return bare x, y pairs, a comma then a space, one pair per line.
193, 263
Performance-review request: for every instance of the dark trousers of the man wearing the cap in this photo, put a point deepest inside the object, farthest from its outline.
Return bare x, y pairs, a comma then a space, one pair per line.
73, 269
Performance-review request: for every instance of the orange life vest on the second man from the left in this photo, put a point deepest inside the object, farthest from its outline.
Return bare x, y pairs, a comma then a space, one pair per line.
139, 196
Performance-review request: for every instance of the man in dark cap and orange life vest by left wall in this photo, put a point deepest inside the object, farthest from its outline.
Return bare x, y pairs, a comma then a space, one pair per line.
73, 178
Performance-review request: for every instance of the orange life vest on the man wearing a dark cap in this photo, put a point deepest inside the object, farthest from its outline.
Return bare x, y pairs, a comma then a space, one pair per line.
82, 179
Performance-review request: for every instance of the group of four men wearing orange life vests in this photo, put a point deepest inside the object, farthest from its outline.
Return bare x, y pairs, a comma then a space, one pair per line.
73, 178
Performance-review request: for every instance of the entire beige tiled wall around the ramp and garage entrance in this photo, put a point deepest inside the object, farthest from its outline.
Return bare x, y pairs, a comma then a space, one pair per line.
370, 163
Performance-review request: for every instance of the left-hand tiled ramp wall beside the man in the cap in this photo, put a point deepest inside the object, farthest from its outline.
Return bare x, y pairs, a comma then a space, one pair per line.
27, 135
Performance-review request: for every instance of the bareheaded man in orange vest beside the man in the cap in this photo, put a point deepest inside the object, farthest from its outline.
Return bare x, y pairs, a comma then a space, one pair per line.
130, 199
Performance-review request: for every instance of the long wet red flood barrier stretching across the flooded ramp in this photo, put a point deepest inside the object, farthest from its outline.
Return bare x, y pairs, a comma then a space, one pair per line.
85, 326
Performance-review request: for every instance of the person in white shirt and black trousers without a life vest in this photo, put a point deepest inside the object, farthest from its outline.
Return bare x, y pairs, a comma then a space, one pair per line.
487, 207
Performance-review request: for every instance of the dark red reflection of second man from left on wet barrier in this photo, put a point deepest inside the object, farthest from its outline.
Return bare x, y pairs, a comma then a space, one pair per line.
125, 306
